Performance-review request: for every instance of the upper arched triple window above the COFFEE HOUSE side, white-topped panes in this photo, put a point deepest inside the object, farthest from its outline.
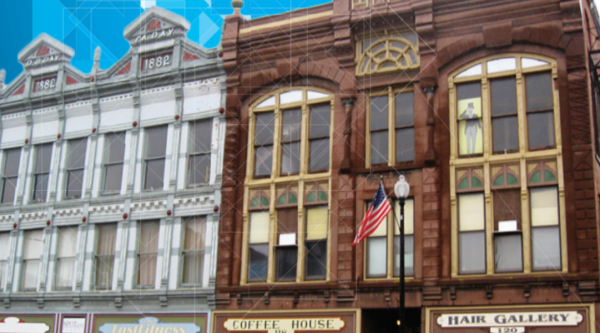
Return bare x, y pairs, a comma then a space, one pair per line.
290, 132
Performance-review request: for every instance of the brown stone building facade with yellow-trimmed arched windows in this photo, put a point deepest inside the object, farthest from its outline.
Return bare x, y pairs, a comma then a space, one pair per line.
485, 107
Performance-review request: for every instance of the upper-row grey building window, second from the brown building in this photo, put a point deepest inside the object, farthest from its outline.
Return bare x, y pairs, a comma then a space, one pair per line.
154, 157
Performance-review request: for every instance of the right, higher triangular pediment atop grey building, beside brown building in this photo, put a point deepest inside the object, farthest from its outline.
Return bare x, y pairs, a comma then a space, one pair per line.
156, 24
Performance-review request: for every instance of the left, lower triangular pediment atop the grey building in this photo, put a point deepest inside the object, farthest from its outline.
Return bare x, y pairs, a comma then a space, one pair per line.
45, 51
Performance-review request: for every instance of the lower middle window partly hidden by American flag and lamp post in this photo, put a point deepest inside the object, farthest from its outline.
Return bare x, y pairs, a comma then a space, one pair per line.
382, 252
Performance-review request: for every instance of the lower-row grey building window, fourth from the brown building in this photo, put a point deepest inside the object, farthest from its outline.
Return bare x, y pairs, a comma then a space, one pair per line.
65, 259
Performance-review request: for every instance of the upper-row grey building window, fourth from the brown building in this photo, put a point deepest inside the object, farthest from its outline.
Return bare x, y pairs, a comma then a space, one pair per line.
75, 168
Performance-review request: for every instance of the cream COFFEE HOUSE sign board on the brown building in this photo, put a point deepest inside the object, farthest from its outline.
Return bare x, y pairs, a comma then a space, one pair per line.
277, 325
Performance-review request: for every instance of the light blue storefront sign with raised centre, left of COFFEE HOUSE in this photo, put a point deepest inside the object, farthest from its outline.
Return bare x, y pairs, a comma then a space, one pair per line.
150, 325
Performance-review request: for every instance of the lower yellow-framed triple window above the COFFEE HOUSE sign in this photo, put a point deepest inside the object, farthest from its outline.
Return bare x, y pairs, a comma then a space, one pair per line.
287, 243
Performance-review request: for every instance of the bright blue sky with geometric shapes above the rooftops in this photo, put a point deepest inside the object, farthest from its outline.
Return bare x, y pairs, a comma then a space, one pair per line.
85, 24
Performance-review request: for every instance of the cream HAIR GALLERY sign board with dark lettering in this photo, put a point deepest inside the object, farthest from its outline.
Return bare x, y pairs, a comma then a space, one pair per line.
571, 318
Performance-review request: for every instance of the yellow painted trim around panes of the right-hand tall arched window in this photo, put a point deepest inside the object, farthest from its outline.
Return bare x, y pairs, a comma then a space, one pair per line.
488, 158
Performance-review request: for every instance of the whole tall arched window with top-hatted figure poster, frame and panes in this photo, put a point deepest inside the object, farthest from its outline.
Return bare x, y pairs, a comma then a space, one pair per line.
505, 116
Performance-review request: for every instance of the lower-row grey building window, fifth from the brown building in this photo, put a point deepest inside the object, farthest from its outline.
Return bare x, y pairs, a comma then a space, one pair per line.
34, 248
